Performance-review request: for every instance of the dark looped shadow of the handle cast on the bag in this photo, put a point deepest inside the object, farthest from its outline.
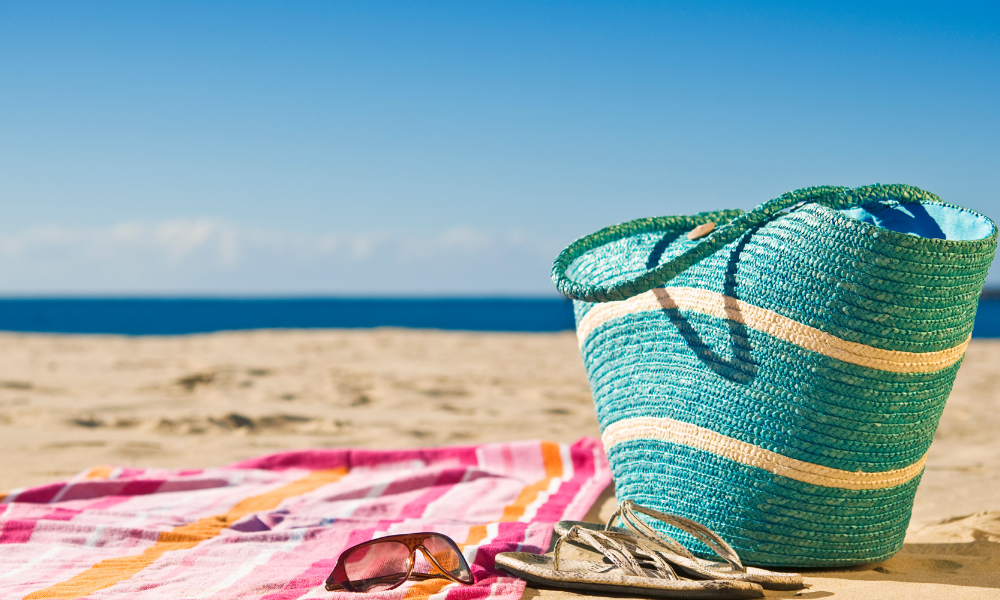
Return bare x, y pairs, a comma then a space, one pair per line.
740, 366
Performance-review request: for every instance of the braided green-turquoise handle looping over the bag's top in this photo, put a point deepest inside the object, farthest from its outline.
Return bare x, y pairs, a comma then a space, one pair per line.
735, 224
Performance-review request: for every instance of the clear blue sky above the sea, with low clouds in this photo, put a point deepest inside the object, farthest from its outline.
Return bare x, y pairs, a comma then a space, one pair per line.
453, 148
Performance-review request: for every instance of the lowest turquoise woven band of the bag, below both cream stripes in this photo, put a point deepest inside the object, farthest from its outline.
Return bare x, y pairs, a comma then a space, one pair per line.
790, 523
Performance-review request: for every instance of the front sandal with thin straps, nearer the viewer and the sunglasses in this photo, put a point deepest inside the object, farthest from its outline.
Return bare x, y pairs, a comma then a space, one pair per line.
649, 575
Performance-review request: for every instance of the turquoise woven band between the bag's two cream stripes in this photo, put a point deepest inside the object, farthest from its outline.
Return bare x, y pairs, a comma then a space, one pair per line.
834, 427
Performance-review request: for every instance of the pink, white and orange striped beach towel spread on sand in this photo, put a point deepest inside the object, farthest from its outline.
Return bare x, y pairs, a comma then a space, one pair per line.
273, 527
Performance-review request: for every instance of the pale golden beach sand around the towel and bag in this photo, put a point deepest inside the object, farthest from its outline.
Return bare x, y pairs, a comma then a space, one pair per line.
71, 402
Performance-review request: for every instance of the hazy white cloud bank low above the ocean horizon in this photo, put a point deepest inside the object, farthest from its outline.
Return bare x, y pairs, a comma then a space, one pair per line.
215, 256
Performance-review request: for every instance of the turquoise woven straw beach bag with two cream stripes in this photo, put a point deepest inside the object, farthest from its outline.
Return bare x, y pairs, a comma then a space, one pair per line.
779, 378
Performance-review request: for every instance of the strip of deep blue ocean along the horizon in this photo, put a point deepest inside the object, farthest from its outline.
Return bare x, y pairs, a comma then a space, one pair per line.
174, 316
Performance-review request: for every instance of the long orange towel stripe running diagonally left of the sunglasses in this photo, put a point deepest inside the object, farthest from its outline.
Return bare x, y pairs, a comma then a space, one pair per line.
115, 570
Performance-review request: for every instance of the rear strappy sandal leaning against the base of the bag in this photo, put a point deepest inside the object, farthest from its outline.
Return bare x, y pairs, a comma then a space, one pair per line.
676, 554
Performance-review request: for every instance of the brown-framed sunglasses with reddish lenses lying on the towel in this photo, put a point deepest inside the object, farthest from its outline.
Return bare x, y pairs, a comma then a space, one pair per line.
385, 563
